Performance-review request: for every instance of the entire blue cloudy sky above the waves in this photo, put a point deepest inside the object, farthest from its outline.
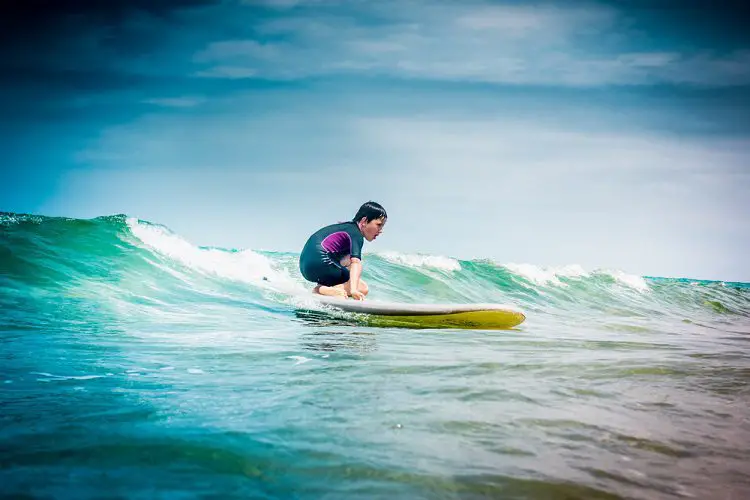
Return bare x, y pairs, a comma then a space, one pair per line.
613, 135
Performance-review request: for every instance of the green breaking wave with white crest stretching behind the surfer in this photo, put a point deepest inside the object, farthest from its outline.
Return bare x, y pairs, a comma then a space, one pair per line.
134, 261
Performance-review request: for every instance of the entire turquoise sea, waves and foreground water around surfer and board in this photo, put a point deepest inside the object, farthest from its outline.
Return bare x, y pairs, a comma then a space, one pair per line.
138, 365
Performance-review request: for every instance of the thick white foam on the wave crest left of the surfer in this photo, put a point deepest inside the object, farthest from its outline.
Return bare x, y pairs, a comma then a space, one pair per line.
245, 266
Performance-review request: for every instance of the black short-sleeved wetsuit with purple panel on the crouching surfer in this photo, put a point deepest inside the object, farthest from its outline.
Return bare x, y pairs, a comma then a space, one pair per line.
319, 260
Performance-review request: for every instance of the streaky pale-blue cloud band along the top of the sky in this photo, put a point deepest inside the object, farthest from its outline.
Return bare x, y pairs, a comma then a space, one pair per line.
571, 45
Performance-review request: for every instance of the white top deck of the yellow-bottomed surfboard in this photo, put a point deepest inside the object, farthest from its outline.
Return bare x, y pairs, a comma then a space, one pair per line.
406, 309
